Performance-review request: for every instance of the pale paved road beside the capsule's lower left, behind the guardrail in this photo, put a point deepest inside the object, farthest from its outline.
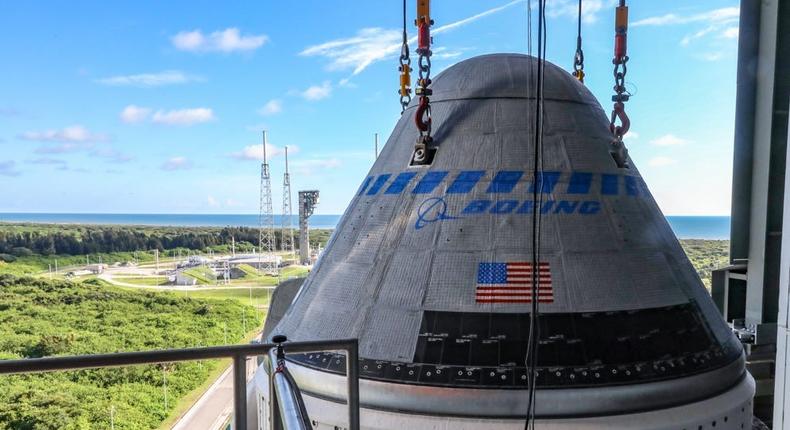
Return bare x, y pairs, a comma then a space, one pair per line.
216, 404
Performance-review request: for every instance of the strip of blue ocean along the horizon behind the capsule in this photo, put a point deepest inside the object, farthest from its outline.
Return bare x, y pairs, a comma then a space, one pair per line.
685, 227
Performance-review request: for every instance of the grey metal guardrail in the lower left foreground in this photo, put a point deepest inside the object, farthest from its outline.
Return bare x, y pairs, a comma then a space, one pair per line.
238, 353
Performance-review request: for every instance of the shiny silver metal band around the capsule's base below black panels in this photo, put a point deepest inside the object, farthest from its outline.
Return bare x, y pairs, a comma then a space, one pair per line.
580, 402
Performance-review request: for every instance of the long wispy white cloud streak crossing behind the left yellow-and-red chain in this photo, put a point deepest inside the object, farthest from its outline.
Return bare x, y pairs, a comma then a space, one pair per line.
370, 45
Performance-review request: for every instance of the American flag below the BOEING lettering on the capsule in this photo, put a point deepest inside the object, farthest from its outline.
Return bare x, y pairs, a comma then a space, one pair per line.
511, 282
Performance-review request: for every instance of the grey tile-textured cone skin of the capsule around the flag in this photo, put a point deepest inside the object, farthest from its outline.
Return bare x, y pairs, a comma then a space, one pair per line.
389, 260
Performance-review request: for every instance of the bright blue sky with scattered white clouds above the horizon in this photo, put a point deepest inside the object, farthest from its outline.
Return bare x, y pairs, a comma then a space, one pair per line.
157, 107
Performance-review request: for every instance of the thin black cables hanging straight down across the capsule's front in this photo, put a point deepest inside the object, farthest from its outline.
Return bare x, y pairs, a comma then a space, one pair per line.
537, 203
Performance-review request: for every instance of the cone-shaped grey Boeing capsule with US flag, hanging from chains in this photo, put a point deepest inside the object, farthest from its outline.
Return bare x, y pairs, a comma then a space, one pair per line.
431, 267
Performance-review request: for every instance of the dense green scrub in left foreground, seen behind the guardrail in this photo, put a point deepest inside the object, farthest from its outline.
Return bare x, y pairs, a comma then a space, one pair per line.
42, 318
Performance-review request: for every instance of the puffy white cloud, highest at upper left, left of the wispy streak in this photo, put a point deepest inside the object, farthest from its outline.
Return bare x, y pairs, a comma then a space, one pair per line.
228, 40
